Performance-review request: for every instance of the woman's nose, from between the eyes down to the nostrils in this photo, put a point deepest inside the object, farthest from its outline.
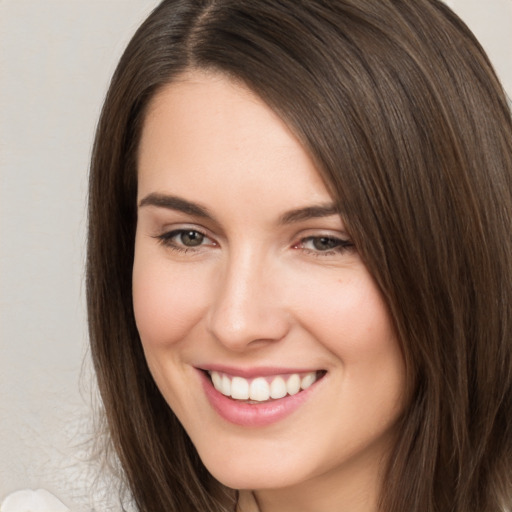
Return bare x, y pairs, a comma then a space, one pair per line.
246, 310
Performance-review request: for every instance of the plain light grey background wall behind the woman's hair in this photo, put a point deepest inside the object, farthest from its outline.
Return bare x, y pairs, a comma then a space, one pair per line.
56, 57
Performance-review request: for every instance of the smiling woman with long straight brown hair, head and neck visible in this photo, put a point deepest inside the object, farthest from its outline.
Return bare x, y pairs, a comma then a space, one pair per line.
299, 260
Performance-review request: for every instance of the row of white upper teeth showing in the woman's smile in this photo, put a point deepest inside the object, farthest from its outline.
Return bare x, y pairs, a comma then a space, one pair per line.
261, 389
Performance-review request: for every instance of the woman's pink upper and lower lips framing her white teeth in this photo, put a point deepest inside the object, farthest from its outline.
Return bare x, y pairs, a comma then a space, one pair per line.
254, 414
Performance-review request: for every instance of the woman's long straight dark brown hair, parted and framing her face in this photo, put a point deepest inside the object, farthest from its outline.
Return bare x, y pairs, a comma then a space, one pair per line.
400, 109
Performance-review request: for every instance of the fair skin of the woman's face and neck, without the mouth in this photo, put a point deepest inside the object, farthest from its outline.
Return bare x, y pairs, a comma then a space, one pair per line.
256, 292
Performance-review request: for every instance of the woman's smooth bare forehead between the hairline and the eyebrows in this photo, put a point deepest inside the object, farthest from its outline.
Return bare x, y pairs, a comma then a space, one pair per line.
206, 131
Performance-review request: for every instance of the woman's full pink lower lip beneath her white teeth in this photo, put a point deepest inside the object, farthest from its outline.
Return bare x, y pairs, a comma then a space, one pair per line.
252, 415
